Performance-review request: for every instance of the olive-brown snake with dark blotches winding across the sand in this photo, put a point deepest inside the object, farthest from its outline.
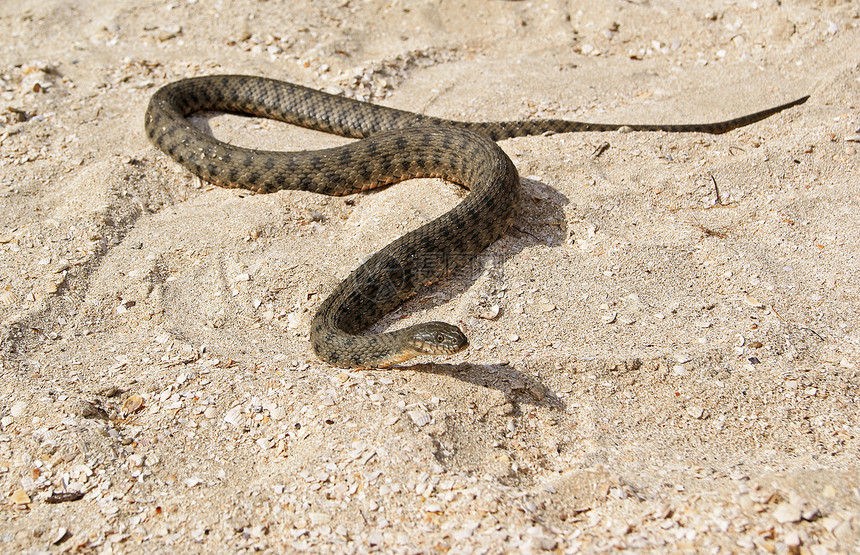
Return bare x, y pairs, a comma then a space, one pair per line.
393, 146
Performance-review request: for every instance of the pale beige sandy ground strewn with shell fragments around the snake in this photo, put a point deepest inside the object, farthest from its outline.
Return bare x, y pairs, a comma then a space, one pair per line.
668, 370
